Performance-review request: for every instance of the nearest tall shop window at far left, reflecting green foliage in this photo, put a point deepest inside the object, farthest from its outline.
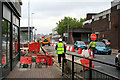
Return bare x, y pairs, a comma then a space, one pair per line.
5, 42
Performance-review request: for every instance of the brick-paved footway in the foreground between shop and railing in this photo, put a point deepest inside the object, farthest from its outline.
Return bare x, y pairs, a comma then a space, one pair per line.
49, 72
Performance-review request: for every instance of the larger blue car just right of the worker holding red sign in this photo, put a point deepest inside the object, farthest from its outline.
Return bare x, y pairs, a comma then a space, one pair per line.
102, 48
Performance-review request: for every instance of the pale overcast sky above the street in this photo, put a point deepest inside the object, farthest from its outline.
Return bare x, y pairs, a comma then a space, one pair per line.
48, 12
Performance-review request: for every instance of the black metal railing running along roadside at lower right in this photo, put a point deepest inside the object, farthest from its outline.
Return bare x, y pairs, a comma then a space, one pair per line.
75, 70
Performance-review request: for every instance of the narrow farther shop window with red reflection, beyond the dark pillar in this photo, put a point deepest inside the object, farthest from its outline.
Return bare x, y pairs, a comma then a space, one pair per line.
15, 41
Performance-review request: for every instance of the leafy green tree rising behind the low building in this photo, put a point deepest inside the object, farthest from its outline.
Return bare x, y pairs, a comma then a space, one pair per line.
71, 22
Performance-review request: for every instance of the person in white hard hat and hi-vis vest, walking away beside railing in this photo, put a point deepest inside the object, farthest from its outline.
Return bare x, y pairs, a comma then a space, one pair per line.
61, 50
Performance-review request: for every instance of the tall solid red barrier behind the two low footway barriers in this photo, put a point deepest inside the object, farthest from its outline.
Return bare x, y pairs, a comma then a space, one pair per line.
34, 47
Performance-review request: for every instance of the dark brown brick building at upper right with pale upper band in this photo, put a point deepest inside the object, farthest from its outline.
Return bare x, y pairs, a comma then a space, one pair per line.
106, 24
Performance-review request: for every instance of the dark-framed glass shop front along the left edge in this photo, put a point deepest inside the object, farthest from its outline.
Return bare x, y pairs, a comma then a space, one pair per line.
9, 36
